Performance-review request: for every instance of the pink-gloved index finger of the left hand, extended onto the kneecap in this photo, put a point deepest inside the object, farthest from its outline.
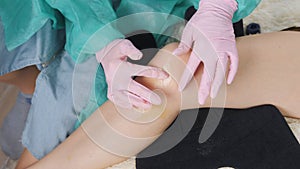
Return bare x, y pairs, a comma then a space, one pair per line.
148, 71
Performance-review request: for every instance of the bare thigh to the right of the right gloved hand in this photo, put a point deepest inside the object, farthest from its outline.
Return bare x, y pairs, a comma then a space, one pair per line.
269, 71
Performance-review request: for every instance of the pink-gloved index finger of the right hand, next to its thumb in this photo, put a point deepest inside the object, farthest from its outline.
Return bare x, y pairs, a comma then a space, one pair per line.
189, 71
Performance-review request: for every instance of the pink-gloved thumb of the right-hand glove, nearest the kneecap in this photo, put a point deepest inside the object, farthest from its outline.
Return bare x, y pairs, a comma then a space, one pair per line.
186, 42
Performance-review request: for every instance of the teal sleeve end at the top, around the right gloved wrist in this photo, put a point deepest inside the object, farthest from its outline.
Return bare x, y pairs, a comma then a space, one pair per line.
245, 7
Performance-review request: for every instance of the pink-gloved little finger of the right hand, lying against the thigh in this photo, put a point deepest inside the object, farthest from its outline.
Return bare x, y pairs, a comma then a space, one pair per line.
234, 62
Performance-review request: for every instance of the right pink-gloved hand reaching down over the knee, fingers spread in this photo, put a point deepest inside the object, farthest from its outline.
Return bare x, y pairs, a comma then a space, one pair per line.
210, 30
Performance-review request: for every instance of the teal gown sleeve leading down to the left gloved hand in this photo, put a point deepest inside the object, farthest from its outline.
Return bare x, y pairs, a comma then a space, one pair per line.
88, 27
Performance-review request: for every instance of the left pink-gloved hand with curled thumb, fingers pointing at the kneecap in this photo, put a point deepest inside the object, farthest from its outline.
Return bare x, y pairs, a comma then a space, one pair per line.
122, 89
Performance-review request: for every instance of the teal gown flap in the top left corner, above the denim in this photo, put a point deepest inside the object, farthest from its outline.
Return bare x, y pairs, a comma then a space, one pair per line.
20, 25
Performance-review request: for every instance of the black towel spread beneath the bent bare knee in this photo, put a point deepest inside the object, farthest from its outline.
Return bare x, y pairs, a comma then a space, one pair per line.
254, 138
